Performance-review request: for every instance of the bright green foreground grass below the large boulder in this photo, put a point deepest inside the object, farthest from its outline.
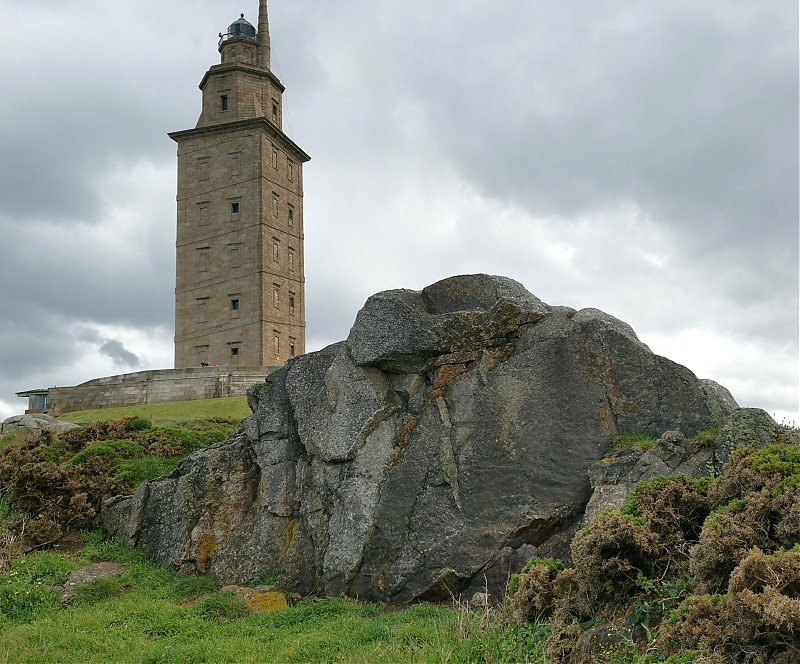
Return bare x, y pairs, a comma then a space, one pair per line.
151, 615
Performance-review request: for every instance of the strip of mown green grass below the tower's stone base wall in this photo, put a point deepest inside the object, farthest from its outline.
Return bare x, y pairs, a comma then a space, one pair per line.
232, 408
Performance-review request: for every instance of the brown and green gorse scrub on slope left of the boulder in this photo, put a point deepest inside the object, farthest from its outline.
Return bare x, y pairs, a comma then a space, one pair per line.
55, 484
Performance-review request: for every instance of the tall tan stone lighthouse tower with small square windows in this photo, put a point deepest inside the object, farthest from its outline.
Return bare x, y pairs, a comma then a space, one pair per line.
239, 296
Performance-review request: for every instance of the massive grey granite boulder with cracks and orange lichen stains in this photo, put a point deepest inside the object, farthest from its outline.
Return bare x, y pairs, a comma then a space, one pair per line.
447, 441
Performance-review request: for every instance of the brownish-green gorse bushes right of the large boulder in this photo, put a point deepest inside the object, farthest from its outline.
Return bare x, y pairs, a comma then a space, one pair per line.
687, 570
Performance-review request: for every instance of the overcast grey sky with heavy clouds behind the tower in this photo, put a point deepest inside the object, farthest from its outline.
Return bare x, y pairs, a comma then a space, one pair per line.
636, 156
